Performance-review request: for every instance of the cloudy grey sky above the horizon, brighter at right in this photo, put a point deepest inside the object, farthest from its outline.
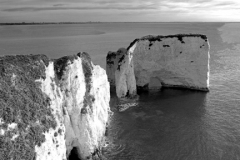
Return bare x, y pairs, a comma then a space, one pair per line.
119, 10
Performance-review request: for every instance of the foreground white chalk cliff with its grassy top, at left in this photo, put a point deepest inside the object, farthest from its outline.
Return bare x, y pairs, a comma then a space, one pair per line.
49, 108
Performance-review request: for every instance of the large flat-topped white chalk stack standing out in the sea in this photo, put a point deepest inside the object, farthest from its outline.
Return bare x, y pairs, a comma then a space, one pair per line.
164, 61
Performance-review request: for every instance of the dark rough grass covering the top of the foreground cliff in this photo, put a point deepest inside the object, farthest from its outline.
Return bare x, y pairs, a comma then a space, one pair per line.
22, 102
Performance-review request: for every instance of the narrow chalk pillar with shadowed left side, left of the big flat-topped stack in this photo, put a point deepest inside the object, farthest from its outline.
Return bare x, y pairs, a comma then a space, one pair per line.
120, 71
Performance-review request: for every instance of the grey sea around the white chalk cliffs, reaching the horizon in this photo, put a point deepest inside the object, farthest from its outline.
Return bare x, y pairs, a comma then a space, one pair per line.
169, 124
